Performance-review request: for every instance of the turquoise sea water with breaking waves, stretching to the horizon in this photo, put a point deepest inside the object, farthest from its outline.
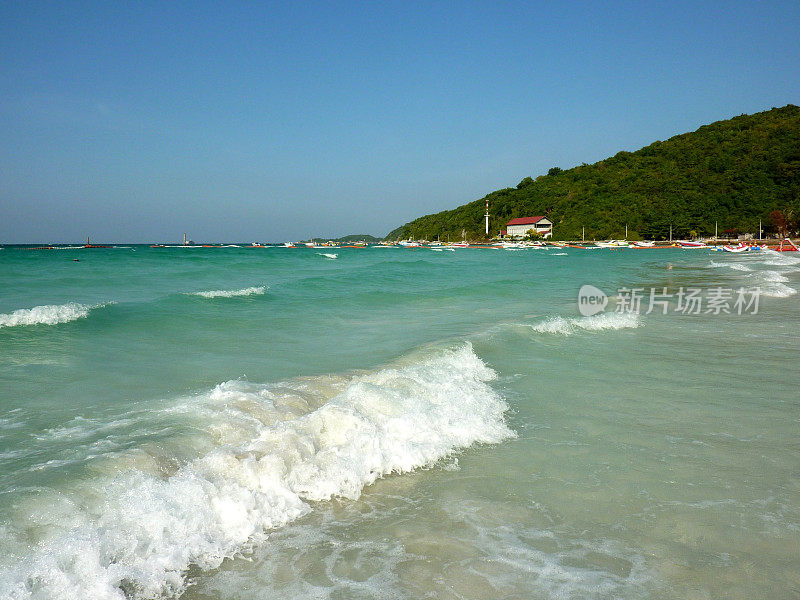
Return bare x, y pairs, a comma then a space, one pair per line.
220, 423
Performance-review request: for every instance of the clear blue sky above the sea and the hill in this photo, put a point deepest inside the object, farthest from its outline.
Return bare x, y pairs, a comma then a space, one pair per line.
273, 121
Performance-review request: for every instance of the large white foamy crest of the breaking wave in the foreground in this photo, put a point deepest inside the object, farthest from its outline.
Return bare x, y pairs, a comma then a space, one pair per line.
134, 535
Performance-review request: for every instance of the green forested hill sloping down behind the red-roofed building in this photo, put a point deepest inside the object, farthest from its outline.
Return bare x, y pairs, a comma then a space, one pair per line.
732, 172
